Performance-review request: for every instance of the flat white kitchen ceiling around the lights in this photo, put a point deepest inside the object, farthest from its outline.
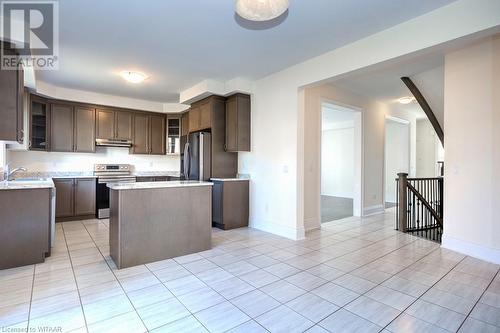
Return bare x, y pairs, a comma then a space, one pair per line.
178, 43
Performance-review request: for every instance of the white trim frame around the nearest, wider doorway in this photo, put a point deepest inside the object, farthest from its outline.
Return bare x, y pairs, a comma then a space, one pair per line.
358, 197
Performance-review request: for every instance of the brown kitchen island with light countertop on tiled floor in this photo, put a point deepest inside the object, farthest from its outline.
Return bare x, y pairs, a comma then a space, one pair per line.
153, 221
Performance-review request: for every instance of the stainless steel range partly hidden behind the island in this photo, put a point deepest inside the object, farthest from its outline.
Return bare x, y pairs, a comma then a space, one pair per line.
109, 173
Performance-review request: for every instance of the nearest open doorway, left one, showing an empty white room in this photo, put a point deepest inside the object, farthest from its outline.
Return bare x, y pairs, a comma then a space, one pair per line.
340, 162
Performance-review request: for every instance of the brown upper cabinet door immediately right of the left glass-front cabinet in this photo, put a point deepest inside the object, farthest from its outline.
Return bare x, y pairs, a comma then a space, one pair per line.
61, 128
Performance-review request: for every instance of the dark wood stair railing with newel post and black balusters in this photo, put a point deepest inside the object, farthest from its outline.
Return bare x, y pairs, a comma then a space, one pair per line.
420, 206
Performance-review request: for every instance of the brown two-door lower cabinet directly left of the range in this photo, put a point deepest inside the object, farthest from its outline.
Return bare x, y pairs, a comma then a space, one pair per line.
75, 198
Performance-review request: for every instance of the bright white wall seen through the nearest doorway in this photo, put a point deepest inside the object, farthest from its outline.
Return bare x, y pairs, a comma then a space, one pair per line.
337, 162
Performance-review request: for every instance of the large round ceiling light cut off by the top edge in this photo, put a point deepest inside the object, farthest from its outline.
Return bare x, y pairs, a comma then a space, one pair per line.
261, 10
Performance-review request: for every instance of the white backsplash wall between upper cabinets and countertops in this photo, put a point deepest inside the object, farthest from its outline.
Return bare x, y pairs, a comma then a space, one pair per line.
55, 161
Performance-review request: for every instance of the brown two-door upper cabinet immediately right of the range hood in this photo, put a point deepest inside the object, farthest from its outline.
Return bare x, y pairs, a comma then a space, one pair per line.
149, 134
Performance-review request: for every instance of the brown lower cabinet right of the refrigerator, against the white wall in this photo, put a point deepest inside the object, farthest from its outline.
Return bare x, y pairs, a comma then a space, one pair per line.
230, 203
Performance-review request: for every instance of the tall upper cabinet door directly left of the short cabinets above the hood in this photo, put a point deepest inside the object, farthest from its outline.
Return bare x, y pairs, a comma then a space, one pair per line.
84, 130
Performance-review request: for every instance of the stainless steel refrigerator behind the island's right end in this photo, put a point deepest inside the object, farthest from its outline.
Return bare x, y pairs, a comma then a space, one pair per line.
196, 161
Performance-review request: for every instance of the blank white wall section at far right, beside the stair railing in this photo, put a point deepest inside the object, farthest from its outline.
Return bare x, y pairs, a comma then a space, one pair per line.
472, 154
